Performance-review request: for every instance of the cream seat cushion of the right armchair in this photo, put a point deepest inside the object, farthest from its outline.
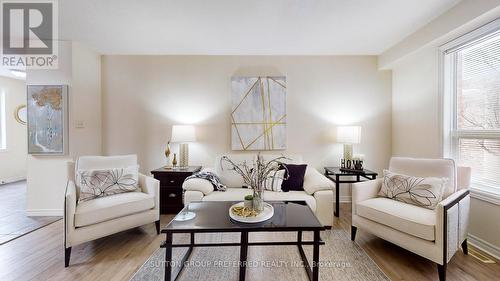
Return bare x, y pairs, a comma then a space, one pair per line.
417, 221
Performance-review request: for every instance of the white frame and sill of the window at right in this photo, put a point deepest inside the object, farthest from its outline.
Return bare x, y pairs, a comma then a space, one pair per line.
448, 106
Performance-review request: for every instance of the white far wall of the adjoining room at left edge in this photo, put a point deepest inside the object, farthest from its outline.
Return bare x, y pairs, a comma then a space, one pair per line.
13, 160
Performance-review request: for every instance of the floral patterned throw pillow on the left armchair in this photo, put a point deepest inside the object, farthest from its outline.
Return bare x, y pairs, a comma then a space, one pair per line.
100, 183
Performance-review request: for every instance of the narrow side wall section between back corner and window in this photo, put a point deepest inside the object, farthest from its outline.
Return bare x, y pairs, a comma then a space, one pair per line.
415, 106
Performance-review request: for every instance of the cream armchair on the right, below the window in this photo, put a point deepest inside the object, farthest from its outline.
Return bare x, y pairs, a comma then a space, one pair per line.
432, 234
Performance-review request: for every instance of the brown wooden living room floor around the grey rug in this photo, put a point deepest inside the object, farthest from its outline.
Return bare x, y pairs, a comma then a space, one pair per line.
39, 256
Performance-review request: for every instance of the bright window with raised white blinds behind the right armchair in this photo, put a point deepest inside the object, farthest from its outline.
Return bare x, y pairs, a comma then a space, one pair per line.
471, 99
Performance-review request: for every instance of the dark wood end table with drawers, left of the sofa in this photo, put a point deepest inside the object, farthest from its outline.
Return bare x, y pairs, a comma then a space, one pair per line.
171, 187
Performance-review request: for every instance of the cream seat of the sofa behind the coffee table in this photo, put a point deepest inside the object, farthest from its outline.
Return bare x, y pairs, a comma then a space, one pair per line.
238, 194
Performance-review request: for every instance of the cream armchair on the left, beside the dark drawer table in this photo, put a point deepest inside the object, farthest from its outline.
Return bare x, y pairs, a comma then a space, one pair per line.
104, 216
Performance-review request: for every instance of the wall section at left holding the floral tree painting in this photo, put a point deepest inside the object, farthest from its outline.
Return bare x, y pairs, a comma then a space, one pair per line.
79, 68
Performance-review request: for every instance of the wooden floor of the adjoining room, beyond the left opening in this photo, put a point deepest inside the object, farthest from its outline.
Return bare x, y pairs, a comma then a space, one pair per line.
13, 219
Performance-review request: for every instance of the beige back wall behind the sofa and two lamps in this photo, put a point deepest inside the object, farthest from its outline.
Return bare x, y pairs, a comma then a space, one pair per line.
143, 96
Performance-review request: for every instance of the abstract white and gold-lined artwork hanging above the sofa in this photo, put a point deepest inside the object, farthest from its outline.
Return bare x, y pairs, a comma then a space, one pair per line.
258, 114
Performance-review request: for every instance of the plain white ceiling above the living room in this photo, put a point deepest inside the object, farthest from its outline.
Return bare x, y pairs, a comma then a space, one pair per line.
245, 27
